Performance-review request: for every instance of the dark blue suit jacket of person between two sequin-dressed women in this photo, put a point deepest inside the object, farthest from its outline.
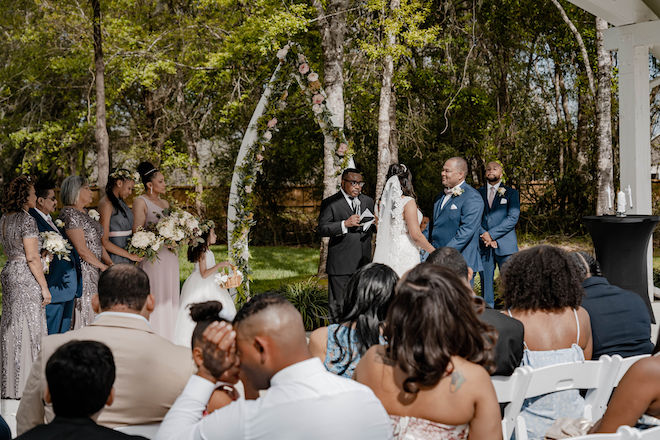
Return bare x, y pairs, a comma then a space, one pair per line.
64, 277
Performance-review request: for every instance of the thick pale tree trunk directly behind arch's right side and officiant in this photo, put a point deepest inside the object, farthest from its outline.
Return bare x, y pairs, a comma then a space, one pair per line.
332, 25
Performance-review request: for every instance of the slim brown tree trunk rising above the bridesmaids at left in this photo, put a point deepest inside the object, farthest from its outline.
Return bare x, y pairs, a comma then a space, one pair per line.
100, 130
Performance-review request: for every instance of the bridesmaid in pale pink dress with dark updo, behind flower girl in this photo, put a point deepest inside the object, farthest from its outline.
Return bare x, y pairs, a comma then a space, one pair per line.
163, 272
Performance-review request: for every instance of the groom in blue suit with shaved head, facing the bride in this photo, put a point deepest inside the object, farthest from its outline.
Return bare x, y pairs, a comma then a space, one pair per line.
457, 214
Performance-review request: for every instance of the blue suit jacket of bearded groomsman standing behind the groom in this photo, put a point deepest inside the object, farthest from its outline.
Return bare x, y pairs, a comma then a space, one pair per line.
500, 220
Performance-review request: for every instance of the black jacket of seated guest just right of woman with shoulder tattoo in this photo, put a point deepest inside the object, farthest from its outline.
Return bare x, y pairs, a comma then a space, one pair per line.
509, 346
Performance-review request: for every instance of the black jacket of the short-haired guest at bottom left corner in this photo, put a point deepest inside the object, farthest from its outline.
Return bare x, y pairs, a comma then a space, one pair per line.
62, 428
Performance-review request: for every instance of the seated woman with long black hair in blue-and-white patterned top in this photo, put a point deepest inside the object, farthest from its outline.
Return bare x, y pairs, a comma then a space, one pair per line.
367, 298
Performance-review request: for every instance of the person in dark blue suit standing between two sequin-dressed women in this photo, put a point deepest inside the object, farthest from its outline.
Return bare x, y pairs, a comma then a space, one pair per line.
64, 277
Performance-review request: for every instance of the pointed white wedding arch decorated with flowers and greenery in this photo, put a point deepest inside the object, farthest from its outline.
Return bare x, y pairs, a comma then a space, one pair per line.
293, 65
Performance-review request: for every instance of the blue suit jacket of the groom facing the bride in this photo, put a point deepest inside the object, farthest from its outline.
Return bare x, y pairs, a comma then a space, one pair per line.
457, 224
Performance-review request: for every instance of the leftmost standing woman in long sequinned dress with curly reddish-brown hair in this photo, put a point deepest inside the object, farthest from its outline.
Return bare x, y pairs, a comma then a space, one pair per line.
25, 291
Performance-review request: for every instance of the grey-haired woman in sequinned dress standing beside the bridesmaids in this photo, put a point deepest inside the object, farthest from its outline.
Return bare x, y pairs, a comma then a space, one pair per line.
85, 234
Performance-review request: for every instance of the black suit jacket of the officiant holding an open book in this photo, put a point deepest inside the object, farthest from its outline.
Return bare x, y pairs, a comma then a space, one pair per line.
346, 252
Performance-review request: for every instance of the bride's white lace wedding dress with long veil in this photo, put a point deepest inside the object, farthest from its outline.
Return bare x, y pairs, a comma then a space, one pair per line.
394, 247
